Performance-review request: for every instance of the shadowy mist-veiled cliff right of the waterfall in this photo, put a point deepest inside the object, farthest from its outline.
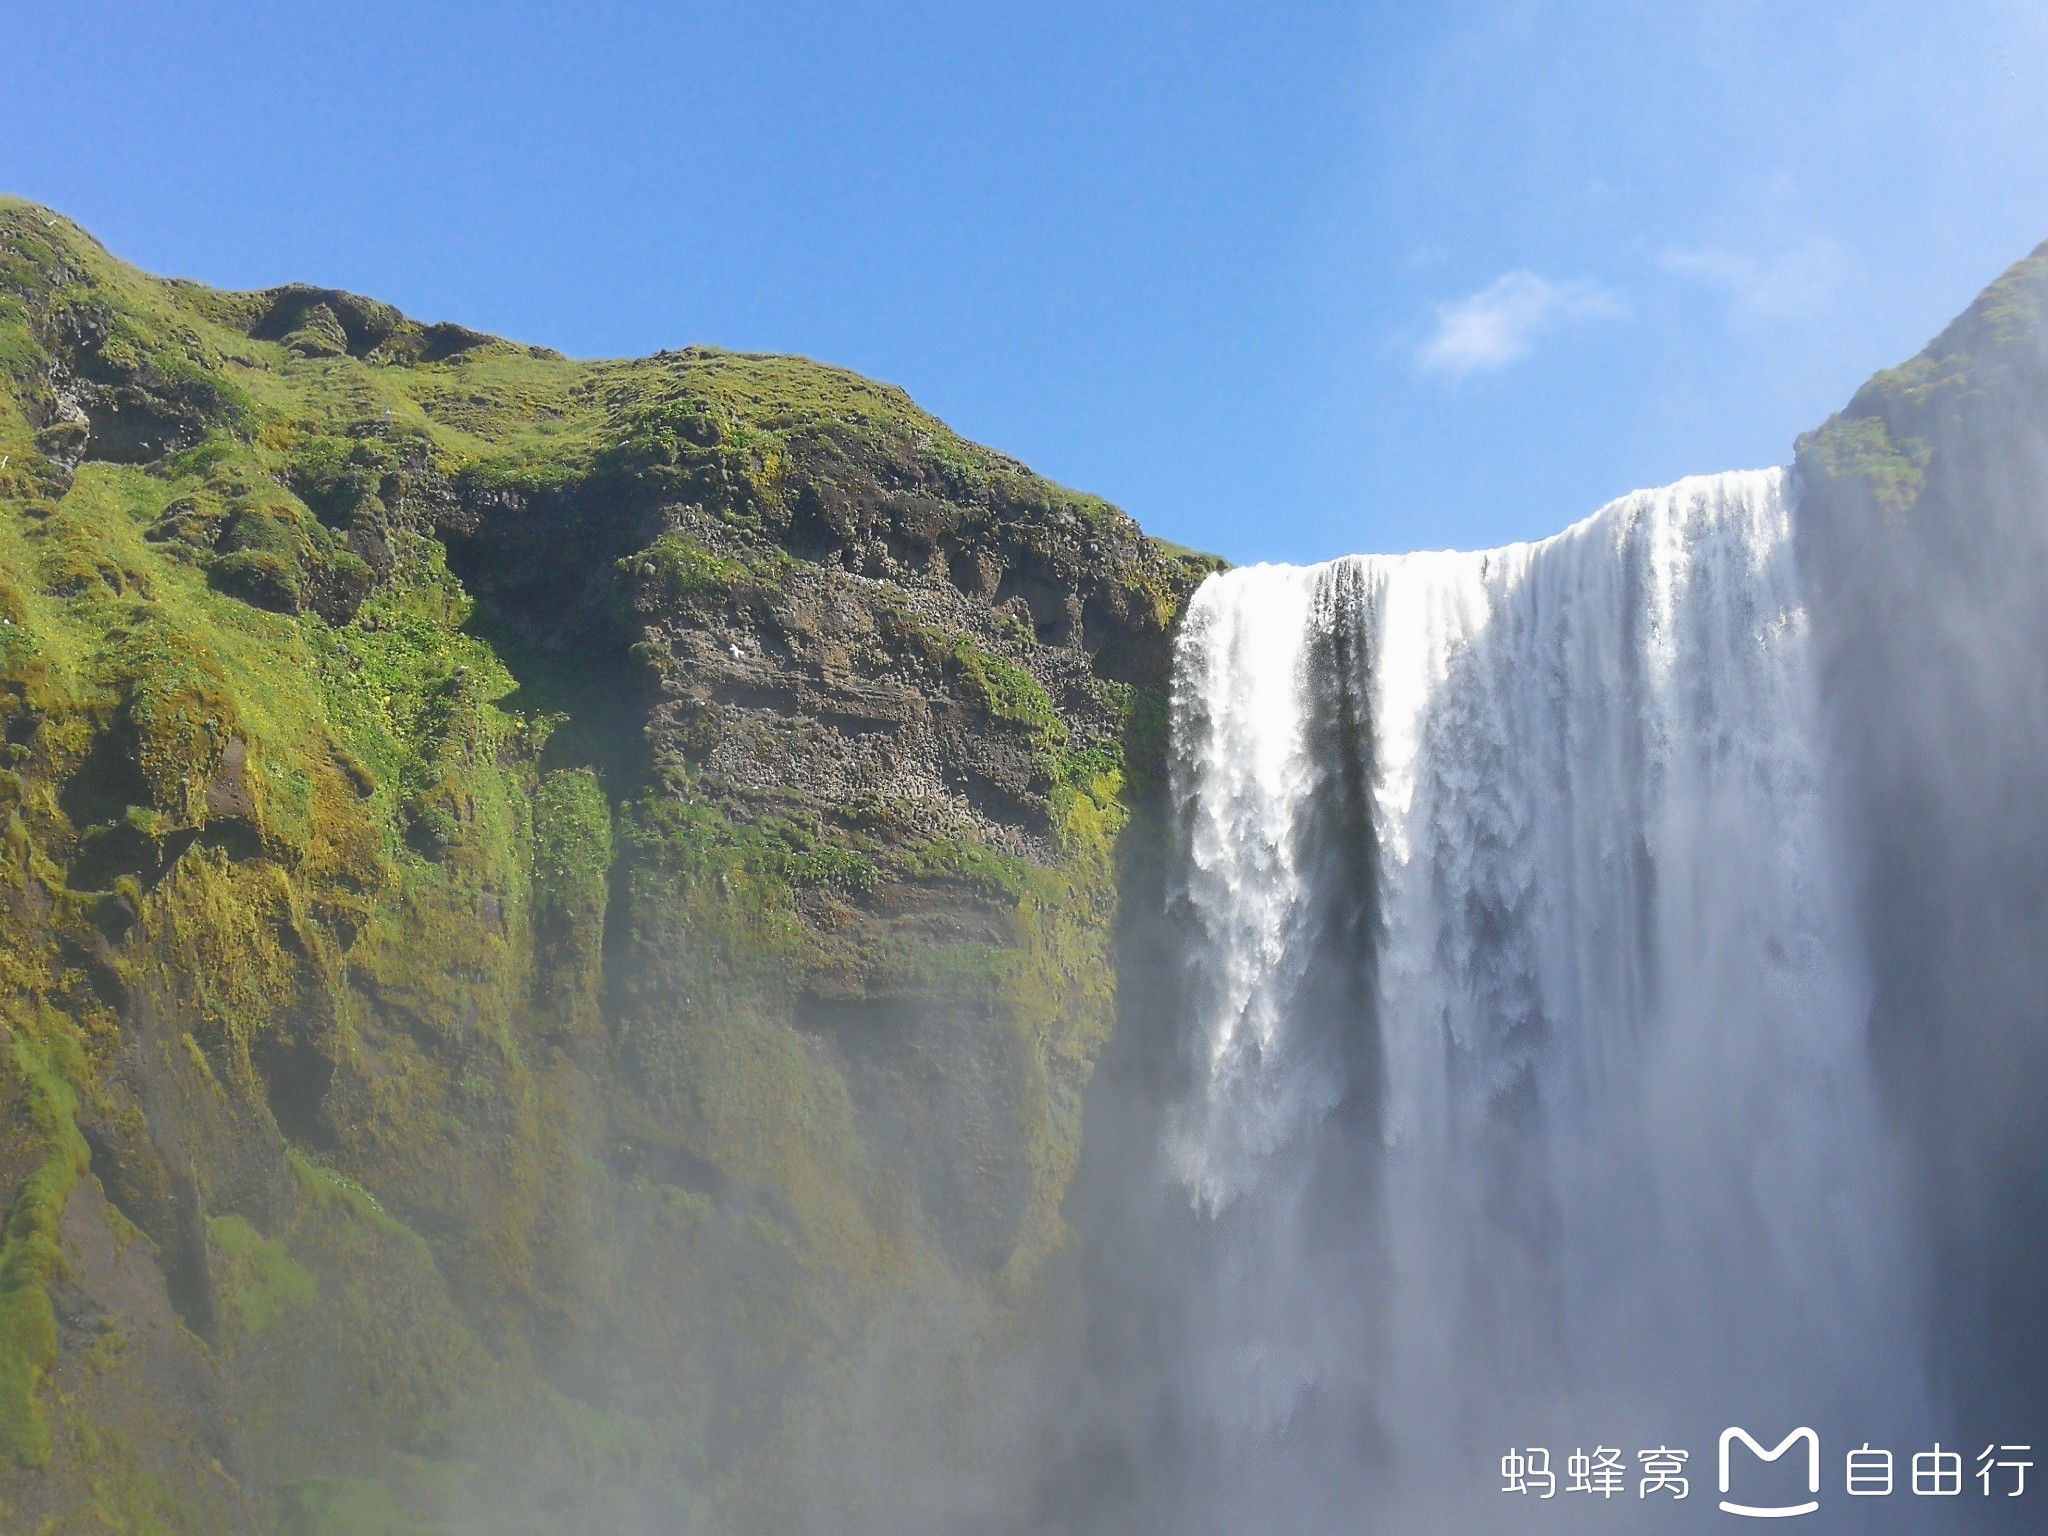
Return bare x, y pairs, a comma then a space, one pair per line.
1926, 544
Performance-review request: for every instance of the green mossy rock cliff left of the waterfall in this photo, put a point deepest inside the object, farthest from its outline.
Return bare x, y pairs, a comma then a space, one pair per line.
554, 916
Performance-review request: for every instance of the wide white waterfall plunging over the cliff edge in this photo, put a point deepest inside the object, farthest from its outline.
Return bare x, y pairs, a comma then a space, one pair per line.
1525, 1093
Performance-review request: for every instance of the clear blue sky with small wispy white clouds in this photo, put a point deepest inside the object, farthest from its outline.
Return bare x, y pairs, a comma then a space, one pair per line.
1283, 282
